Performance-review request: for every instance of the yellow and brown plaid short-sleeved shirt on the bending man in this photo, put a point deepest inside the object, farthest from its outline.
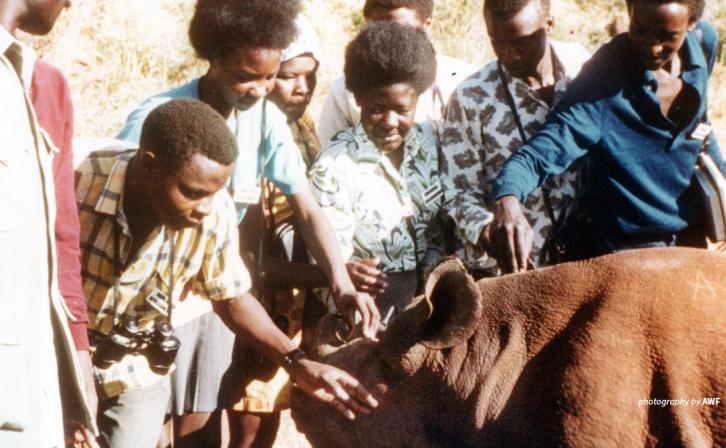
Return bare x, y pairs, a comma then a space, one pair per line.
206, 258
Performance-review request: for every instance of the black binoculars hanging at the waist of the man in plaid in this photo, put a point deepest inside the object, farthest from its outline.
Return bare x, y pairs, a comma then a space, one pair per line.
158, 345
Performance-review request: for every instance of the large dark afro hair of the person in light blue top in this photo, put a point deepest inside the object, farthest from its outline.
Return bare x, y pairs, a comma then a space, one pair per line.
219, 27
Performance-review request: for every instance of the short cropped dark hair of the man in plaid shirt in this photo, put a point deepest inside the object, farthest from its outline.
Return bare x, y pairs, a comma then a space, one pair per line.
180, 128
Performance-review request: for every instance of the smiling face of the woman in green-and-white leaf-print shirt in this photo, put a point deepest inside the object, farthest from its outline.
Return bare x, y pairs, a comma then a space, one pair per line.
387, 115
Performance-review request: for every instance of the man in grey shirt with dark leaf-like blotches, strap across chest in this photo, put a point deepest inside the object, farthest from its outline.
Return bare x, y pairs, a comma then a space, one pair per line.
481, 130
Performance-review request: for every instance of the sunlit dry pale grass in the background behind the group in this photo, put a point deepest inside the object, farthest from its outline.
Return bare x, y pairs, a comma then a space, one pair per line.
118, 52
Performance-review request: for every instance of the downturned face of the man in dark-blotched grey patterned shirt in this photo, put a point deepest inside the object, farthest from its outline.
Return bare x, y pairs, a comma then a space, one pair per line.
520, 42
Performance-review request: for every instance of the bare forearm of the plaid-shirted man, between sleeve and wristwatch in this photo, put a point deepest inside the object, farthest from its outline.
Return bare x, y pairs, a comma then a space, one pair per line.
246, 317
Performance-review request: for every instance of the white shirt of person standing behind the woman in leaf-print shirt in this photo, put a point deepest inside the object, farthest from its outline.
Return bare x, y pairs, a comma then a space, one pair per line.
340, 110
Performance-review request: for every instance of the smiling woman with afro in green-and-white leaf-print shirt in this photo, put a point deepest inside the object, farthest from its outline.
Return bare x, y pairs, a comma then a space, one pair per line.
378, 182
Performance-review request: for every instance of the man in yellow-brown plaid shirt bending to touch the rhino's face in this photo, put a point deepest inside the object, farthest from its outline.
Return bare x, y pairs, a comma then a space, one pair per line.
155, 222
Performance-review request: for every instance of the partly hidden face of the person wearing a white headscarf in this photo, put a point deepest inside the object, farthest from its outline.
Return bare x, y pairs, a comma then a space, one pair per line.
294, 85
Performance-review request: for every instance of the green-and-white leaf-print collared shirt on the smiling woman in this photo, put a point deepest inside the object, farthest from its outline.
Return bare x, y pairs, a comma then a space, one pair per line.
367, 200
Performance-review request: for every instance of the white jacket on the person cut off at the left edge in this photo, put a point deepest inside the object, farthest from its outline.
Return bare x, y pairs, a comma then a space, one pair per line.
32, 316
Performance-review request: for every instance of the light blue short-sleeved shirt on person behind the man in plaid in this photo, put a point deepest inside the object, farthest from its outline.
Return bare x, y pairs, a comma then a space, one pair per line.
283, 163
